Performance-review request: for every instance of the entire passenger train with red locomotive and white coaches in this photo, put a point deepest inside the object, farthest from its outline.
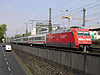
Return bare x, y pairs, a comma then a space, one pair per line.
74, 37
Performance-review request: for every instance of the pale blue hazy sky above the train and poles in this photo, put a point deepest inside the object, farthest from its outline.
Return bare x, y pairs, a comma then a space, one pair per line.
15, 13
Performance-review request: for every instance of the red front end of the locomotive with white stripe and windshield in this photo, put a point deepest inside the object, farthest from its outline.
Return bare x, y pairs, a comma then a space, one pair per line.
84, 39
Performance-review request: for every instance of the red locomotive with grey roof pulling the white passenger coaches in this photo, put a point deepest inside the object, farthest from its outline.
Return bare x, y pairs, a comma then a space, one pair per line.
72, 38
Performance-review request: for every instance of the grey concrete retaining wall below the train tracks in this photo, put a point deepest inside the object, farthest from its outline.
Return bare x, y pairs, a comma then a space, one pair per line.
77, 62
